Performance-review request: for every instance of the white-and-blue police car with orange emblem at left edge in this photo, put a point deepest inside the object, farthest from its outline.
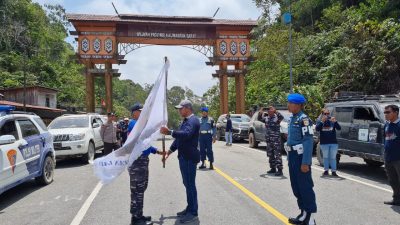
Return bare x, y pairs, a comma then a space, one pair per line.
26, 149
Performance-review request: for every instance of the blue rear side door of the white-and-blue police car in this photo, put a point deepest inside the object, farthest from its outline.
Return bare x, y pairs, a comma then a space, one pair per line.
35, 144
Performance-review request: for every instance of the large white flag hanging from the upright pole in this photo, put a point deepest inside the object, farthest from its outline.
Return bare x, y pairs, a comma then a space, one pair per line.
146, 130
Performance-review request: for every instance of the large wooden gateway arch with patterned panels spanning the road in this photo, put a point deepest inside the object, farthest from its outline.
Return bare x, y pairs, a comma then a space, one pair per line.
106, 39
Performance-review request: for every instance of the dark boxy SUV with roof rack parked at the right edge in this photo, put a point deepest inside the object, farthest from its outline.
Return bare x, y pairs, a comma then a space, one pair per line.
362, 121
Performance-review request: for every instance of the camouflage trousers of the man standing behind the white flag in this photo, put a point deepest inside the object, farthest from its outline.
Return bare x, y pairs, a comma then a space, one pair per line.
139, 176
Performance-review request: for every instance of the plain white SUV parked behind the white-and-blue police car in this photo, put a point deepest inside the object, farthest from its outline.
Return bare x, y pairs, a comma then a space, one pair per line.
77, 135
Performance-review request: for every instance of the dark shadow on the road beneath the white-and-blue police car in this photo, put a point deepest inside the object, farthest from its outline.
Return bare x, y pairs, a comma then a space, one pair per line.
17, 193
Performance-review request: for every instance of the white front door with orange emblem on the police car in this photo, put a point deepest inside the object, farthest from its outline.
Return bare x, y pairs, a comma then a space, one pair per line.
12, 162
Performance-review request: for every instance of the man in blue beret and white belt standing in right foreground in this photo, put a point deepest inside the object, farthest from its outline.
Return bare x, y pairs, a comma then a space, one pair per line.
299, 147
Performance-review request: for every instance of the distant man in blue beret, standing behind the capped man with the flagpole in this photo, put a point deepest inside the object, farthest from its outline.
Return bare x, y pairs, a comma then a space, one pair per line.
206, 138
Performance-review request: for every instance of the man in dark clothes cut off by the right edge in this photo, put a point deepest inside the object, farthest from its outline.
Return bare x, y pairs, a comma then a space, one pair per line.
392, 151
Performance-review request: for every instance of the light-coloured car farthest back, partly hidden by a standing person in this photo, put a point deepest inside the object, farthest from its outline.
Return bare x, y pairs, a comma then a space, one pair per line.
240, 126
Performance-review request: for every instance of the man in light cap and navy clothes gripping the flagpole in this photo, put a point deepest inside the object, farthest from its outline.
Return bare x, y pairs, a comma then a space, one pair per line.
186, 142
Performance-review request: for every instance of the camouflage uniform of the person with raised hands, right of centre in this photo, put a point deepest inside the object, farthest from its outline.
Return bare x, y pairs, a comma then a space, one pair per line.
273, 140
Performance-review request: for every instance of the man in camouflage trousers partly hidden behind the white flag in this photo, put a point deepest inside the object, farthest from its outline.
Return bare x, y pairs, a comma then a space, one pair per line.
139, 176
